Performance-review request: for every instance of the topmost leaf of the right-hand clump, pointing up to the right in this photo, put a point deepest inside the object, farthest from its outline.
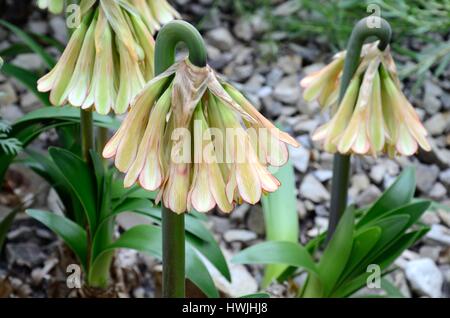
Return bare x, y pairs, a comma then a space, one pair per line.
399, 194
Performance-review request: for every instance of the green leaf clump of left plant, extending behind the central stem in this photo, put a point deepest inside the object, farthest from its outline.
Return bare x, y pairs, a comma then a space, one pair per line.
91, 204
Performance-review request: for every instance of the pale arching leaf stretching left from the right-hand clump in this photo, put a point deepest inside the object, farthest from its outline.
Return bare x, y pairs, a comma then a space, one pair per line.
292, 254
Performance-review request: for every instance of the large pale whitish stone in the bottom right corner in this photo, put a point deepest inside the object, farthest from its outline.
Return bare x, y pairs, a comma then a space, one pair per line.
425, 277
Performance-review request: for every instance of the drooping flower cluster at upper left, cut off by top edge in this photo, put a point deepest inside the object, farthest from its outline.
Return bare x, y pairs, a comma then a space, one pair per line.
108, 59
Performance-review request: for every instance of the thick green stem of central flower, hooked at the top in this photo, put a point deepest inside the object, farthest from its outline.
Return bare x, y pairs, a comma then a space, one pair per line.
173, 224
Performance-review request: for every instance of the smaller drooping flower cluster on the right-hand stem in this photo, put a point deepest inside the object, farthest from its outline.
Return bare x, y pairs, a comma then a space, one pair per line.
374, 116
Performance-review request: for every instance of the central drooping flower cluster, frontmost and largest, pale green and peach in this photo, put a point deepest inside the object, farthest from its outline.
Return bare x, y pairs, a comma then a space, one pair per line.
197, 141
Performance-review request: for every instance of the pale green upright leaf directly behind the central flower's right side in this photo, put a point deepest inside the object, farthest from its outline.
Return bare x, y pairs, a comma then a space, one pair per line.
281, 217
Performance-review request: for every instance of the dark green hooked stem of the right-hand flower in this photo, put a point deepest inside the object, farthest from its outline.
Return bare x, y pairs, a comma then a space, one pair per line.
341, 164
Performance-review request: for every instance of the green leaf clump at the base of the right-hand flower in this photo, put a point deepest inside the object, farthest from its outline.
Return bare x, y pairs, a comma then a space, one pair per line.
380, 234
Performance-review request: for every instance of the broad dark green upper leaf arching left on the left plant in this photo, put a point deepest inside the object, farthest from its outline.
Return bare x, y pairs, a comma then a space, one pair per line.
78, 176
